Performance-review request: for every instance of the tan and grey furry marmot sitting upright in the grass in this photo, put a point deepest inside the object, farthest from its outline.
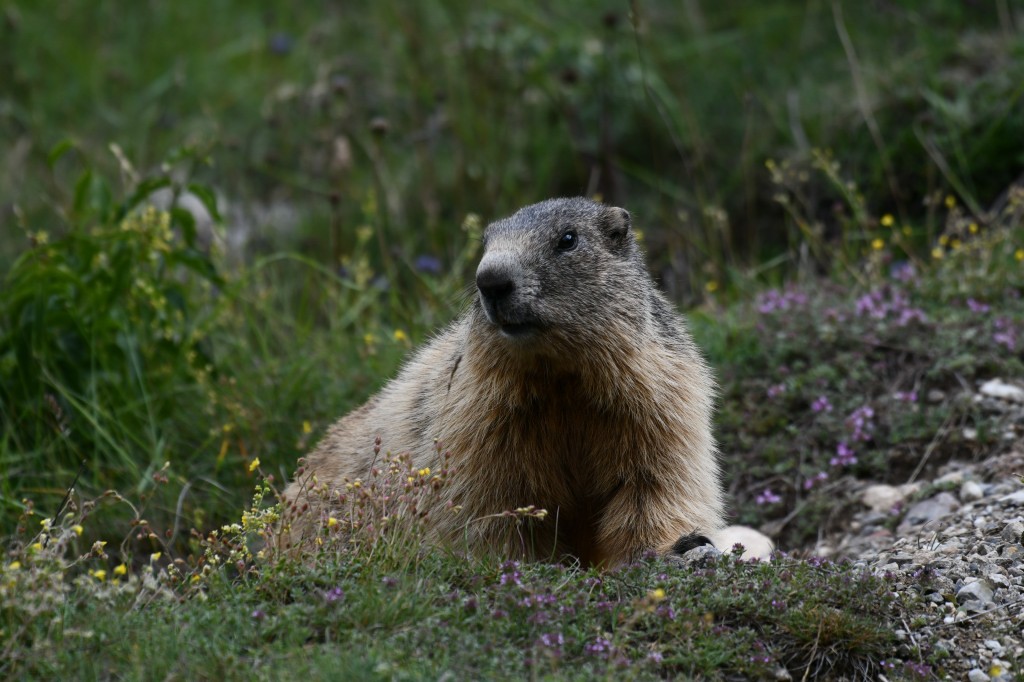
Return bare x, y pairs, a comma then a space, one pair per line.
571, 385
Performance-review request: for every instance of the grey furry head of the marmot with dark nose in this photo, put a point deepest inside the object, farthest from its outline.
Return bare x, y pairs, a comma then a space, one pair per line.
563, 272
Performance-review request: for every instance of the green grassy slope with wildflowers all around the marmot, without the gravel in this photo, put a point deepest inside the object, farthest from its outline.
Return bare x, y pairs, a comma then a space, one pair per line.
830, 192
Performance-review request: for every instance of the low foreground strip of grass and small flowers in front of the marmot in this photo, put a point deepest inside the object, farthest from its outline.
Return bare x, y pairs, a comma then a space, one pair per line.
388, 608
